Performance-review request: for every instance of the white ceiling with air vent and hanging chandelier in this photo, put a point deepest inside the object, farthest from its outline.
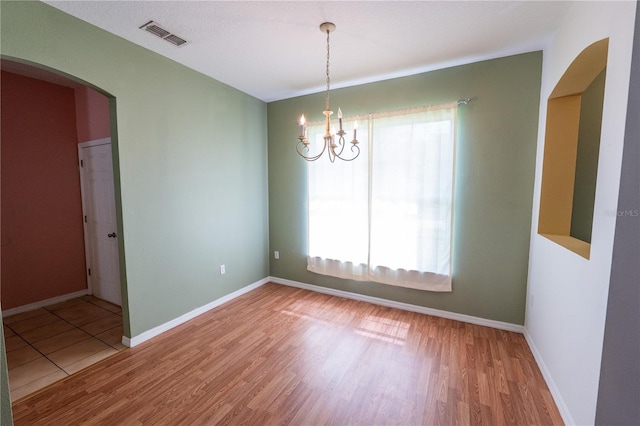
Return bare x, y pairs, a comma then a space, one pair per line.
275, 50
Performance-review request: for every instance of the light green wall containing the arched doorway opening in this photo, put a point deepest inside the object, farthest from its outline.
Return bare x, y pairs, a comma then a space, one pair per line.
191, 164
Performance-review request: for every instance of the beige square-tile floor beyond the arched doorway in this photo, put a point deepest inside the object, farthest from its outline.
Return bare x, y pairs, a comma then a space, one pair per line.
48, 344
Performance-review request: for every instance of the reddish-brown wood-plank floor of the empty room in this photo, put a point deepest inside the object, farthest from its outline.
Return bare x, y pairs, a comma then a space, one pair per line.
281, 355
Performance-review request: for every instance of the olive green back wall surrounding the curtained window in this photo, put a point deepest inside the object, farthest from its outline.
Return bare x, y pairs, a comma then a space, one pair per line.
495, 161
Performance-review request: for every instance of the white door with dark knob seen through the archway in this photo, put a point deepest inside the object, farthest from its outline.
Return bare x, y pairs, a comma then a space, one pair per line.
99, 209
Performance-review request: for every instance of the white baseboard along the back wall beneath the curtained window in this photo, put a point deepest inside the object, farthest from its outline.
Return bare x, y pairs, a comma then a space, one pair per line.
404, 306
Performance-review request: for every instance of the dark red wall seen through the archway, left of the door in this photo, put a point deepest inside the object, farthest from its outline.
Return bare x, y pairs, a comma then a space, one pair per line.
41, 217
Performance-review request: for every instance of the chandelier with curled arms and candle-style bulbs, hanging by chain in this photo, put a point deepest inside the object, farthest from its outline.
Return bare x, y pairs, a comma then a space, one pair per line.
335, 149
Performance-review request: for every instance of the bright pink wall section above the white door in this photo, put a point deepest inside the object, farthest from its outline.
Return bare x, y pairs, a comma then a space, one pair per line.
92, 114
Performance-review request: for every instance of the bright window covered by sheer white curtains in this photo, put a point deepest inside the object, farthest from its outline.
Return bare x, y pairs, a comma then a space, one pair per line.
387, 216
